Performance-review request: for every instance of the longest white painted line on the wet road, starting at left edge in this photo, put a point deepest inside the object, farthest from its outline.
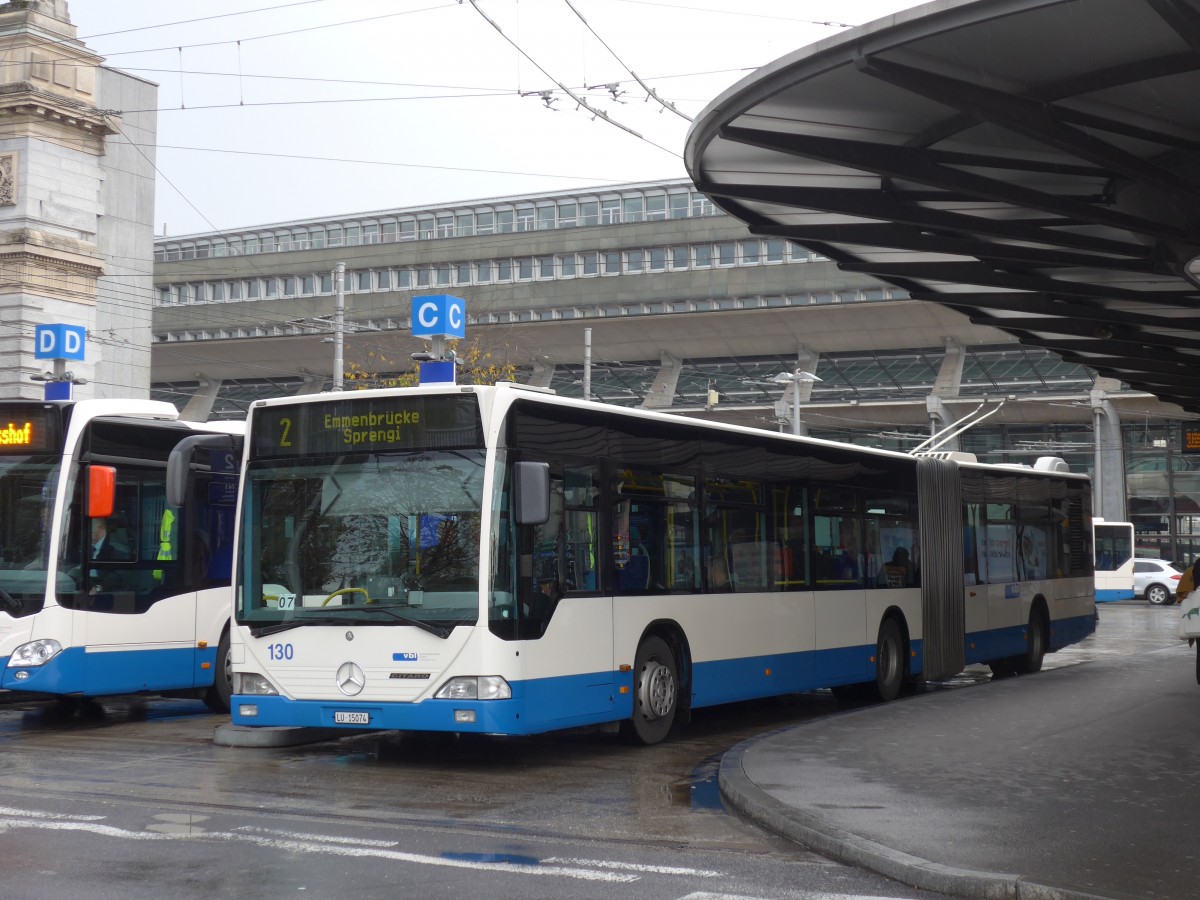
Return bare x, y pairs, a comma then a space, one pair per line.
27, 819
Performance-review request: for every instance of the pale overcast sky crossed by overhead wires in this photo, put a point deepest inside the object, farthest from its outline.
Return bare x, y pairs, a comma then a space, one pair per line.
277, 110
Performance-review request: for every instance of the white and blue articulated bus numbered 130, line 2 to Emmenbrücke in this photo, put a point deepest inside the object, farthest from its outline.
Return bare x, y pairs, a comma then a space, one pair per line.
500, 560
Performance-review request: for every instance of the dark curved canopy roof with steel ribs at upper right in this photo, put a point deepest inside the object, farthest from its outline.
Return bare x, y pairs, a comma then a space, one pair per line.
1033, 164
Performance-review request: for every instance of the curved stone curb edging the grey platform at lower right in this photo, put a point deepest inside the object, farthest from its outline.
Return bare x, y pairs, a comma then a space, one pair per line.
813, 833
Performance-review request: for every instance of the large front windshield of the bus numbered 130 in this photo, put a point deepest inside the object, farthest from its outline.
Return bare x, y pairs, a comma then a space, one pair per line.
382, 539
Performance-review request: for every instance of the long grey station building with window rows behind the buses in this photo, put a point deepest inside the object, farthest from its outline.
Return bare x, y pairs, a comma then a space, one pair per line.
647, 295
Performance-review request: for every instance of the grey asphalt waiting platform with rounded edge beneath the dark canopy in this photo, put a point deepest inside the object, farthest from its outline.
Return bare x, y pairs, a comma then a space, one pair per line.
1077, 782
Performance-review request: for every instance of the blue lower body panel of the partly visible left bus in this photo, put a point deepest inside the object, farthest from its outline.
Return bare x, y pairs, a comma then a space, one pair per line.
103, 675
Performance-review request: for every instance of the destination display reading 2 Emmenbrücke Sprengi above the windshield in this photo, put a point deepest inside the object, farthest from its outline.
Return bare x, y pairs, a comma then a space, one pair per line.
368, 425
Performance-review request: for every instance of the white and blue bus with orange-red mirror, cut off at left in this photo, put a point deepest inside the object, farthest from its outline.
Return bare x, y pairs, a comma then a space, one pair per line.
105, 589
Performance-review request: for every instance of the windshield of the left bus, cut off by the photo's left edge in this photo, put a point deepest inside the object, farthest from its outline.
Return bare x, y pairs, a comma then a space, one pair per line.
27, 500
